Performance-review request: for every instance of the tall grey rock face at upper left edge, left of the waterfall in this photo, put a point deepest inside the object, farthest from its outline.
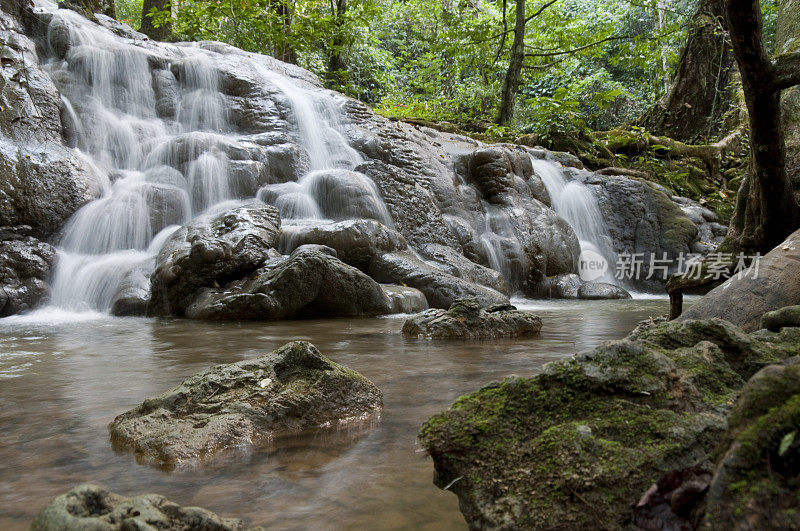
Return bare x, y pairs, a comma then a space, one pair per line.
42, 183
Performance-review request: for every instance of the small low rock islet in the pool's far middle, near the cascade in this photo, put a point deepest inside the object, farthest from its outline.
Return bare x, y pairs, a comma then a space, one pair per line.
465, 319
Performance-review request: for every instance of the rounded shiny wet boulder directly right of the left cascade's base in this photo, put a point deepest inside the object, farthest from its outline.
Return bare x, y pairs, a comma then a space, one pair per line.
211, 251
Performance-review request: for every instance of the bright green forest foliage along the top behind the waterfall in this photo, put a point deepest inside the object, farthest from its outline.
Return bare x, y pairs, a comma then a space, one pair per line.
587, 64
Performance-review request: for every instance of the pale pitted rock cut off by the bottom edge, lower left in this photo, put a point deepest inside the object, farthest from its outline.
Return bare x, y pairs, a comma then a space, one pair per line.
93, 507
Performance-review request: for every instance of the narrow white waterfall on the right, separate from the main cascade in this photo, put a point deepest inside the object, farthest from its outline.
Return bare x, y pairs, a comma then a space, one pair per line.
574, 202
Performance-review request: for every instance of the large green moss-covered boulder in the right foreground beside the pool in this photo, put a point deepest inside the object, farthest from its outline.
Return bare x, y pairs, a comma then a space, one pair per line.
578, 445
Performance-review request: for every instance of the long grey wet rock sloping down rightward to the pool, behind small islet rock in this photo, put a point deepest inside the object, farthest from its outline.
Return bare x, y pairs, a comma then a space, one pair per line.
440, 288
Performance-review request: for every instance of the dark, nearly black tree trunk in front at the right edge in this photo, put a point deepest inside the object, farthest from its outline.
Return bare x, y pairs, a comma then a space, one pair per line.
768, 206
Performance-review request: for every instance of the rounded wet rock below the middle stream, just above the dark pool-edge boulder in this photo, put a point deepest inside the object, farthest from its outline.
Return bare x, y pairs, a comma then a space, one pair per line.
357, 242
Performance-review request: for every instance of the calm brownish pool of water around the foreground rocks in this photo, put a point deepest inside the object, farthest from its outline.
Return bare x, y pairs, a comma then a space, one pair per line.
64, 377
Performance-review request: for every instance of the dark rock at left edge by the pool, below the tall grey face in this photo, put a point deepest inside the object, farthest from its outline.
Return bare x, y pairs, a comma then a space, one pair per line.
25, 265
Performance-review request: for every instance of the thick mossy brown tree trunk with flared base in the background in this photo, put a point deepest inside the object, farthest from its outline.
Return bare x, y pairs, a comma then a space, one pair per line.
701, 92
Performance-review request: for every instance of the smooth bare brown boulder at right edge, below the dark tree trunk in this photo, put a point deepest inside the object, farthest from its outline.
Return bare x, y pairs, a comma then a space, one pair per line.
744, 300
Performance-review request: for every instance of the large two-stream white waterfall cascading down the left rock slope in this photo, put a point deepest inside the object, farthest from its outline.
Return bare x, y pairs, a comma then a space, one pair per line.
155, 169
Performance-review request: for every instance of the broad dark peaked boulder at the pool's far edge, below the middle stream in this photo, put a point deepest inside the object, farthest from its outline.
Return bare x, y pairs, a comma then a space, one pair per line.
312, 282
